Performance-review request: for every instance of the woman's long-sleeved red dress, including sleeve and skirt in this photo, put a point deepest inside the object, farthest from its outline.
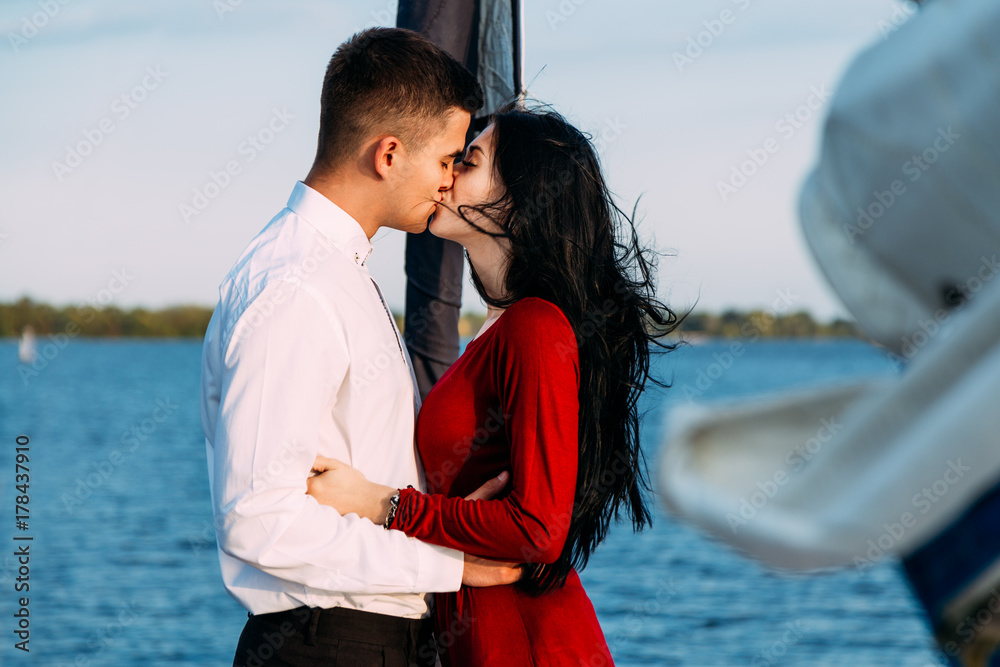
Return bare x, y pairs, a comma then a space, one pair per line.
510, 402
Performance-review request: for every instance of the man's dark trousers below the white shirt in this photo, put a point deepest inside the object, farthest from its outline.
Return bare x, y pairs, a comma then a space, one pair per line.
339, 637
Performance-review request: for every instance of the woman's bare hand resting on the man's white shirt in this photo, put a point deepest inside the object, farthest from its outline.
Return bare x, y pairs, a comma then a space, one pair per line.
348, 491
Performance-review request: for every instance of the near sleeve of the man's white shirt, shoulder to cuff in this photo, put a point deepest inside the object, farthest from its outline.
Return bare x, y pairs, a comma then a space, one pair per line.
282, 370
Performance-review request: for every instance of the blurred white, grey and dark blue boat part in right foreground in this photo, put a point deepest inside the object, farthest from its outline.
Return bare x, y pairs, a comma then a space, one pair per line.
902, 214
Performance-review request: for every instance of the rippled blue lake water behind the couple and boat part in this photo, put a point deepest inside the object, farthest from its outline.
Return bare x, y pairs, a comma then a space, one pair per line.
123, 567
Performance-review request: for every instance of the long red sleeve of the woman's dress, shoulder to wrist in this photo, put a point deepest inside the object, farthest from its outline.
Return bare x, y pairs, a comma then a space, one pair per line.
537, 382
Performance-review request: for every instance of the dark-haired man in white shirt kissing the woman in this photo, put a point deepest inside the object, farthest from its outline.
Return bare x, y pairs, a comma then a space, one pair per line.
302, 357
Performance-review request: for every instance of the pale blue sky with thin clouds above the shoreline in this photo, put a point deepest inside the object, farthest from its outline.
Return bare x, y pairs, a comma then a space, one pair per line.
119, 119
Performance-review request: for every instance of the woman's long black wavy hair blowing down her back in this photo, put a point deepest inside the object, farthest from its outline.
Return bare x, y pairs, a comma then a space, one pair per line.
570, 244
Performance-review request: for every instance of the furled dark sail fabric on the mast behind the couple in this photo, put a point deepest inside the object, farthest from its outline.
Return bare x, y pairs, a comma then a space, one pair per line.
483, 35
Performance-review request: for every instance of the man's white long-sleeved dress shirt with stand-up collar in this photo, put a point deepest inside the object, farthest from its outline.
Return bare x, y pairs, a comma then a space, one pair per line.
301, 357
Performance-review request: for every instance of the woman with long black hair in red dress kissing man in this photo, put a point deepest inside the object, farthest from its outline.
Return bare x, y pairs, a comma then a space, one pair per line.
547, 389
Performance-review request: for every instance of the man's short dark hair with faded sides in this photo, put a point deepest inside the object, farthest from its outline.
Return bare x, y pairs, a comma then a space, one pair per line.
388, 81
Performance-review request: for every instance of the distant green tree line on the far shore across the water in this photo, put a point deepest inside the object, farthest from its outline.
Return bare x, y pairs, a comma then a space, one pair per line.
191, 321
